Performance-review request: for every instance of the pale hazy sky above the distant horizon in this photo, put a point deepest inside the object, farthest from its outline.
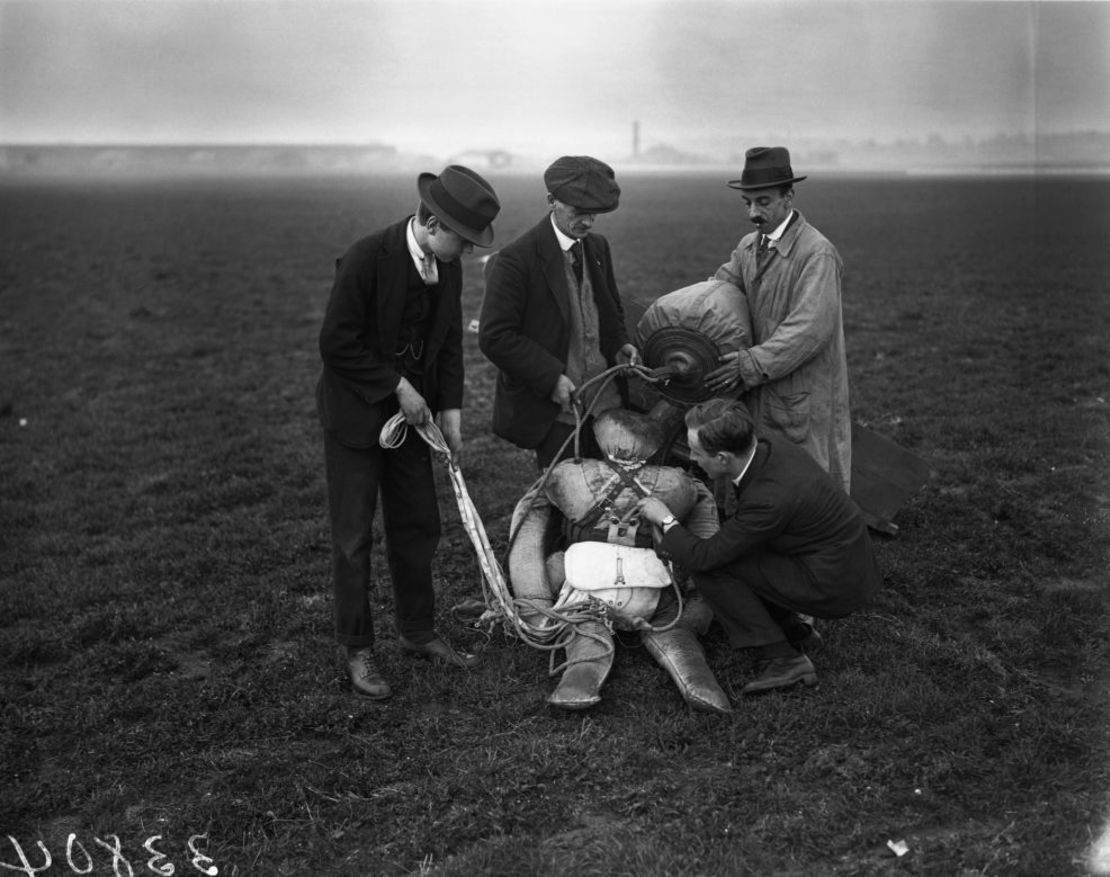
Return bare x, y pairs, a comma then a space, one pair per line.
548, 76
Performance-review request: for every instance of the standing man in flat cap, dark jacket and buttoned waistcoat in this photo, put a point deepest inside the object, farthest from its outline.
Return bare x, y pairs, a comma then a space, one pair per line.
552, 317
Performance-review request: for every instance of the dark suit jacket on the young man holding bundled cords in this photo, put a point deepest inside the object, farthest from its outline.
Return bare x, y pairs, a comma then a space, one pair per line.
355, 396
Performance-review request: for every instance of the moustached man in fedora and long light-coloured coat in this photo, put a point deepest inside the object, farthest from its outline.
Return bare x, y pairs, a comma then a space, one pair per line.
795, 377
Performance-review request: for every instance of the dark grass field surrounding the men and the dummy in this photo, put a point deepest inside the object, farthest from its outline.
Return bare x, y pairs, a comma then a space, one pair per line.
168, 674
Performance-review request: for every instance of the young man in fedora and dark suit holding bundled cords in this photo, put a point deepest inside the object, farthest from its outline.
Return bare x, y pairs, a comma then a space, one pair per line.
392, 342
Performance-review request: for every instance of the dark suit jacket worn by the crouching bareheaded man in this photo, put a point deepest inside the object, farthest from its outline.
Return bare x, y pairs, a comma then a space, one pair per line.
788, 506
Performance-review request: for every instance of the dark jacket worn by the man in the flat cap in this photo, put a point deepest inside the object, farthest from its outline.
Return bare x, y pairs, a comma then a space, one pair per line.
526, 327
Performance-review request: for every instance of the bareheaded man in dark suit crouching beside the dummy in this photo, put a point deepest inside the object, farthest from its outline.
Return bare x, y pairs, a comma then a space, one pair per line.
798, 545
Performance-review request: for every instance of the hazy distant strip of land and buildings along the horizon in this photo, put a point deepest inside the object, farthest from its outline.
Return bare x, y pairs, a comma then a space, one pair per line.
1082, 154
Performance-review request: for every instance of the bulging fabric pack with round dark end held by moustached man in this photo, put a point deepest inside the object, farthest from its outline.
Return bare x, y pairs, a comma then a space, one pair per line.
687, 332
